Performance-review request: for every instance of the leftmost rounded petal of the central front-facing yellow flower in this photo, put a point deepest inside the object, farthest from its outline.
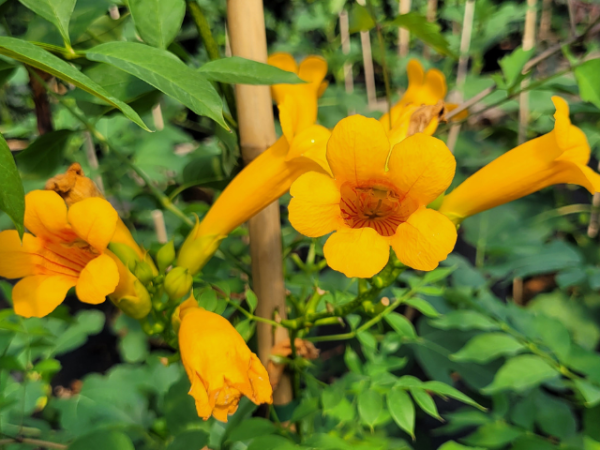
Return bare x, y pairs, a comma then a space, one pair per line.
315, 206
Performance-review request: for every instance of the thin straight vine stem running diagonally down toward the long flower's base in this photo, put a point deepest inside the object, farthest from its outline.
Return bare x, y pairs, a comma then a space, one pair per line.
160, 196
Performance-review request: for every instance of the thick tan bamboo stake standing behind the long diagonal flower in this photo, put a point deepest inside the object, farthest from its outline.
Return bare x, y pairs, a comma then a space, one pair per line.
247, 35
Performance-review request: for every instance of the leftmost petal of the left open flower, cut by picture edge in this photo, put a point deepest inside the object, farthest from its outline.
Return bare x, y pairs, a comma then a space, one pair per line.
18, 260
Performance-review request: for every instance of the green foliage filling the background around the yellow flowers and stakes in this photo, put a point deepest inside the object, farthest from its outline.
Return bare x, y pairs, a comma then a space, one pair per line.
496, 349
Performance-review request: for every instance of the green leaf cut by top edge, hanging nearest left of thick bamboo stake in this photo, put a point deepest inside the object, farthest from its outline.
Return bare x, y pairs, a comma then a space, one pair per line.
157, 21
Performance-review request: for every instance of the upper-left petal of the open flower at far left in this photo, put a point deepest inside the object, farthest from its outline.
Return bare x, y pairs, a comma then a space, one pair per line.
46, 216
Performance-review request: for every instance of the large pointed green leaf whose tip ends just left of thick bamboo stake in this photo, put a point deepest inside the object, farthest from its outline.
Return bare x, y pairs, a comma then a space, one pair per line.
165, 72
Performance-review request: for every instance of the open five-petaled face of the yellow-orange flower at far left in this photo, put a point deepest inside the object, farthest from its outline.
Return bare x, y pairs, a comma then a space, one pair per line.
67, 249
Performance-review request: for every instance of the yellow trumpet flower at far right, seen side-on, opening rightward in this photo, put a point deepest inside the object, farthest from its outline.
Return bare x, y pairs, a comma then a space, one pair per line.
560, 156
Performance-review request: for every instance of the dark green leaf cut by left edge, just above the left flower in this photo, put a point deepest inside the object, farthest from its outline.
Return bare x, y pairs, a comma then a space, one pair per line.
12, 196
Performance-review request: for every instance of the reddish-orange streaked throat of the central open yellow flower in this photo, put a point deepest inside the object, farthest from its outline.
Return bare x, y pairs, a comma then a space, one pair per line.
376, 206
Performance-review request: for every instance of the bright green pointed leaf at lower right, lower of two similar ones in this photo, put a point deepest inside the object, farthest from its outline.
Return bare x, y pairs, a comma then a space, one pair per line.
520, 373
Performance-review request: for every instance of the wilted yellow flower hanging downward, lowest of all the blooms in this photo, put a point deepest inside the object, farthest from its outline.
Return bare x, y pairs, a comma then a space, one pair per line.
219, 364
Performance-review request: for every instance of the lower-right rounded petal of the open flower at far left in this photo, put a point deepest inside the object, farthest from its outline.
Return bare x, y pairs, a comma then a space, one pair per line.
97, 280
